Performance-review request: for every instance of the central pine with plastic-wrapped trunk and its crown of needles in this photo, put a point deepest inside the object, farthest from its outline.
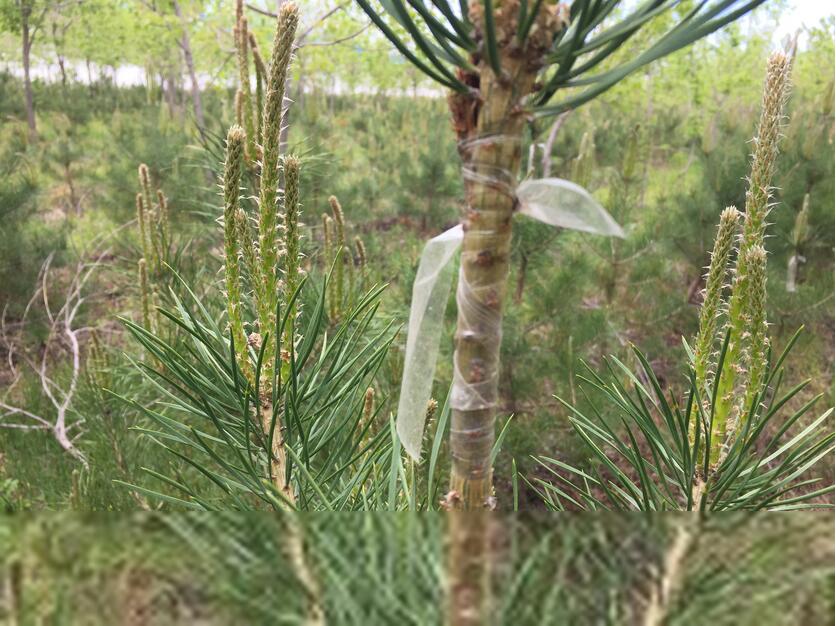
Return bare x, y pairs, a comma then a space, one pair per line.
503, 62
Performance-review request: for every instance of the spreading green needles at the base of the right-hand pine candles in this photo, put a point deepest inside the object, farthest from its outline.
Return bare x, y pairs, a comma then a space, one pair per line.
656, 463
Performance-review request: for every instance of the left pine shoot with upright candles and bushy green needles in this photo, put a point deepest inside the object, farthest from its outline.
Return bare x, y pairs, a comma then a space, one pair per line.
270, 404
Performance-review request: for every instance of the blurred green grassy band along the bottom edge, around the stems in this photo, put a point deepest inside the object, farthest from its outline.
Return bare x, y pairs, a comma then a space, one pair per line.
150, 570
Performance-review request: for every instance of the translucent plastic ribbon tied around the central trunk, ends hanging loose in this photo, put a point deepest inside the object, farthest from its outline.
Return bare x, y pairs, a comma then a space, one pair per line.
552, 201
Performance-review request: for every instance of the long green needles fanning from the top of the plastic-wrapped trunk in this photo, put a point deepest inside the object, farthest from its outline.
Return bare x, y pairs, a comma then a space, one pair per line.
579, 40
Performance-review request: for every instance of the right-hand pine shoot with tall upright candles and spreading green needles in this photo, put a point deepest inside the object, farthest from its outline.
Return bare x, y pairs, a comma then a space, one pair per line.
727, 445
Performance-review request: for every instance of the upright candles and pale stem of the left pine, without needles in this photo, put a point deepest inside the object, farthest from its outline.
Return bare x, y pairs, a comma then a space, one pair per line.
263, 262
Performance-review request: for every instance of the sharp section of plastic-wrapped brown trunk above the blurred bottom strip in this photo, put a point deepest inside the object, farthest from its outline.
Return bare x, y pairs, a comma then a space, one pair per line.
492, 161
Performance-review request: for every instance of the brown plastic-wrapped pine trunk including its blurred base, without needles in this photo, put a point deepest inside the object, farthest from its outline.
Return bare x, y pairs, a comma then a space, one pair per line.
490, 128
